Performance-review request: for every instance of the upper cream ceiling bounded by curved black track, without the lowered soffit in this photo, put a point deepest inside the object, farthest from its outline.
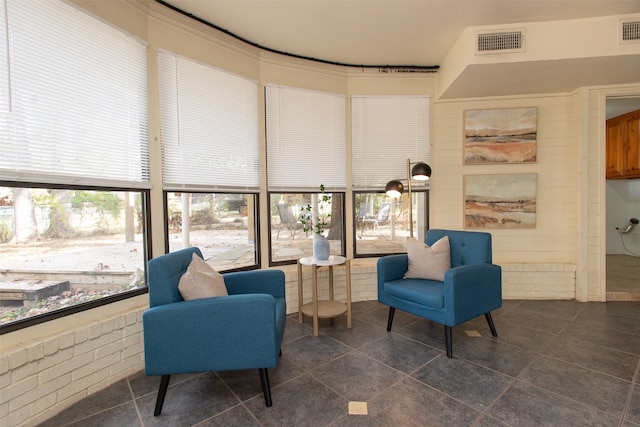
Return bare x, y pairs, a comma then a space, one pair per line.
381, 32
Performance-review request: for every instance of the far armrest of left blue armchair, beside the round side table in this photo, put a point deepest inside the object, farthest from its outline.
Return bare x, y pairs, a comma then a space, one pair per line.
270, 282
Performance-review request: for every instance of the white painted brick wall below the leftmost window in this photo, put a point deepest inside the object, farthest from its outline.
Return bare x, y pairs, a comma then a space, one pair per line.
39, 380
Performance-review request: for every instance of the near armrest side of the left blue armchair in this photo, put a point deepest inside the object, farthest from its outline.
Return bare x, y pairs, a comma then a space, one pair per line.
229, 332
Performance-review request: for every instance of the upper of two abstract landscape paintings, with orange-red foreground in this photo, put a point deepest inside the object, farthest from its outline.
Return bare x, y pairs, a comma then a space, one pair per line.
505, 135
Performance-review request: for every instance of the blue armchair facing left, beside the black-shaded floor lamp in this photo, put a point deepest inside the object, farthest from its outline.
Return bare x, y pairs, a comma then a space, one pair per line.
472, 287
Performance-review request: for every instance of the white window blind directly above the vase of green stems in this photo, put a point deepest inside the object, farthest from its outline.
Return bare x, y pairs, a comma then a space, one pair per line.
306, 141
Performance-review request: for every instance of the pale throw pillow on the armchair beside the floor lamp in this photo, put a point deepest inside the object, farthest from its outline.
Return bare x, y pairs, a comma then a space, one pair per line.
428, 262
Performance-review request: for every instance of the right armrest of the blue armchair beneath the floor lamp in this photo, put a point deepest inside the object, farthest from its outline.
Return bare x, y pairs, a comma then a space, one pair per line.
472, 290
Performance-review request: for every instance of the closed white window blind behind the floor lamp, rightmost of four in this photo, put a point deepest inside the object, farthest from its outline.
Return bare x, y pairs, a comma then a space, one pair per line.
386, 131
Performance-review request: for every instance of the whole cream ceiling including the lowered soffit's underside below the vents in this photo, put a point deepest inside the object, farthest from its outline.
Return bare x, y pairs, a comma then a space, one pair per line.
418, 33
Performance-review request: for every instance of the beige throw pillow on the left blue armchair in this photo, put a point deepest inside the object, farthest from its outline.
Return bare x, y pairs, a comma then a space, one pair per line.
201, 281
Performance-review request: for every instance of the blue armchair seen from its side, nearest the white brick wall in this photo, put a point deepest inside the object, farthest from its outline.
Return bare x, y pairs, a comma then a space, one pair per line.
243, 330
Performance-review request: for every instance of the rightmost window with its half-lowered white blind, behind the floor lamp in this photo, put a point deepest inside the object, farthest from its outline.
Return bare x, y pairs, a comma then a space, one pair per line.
386, 131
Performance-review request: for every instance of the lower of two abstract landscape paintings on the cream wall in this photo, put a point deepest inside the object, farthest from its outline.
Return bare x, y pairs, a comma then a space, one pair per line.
500, 201
